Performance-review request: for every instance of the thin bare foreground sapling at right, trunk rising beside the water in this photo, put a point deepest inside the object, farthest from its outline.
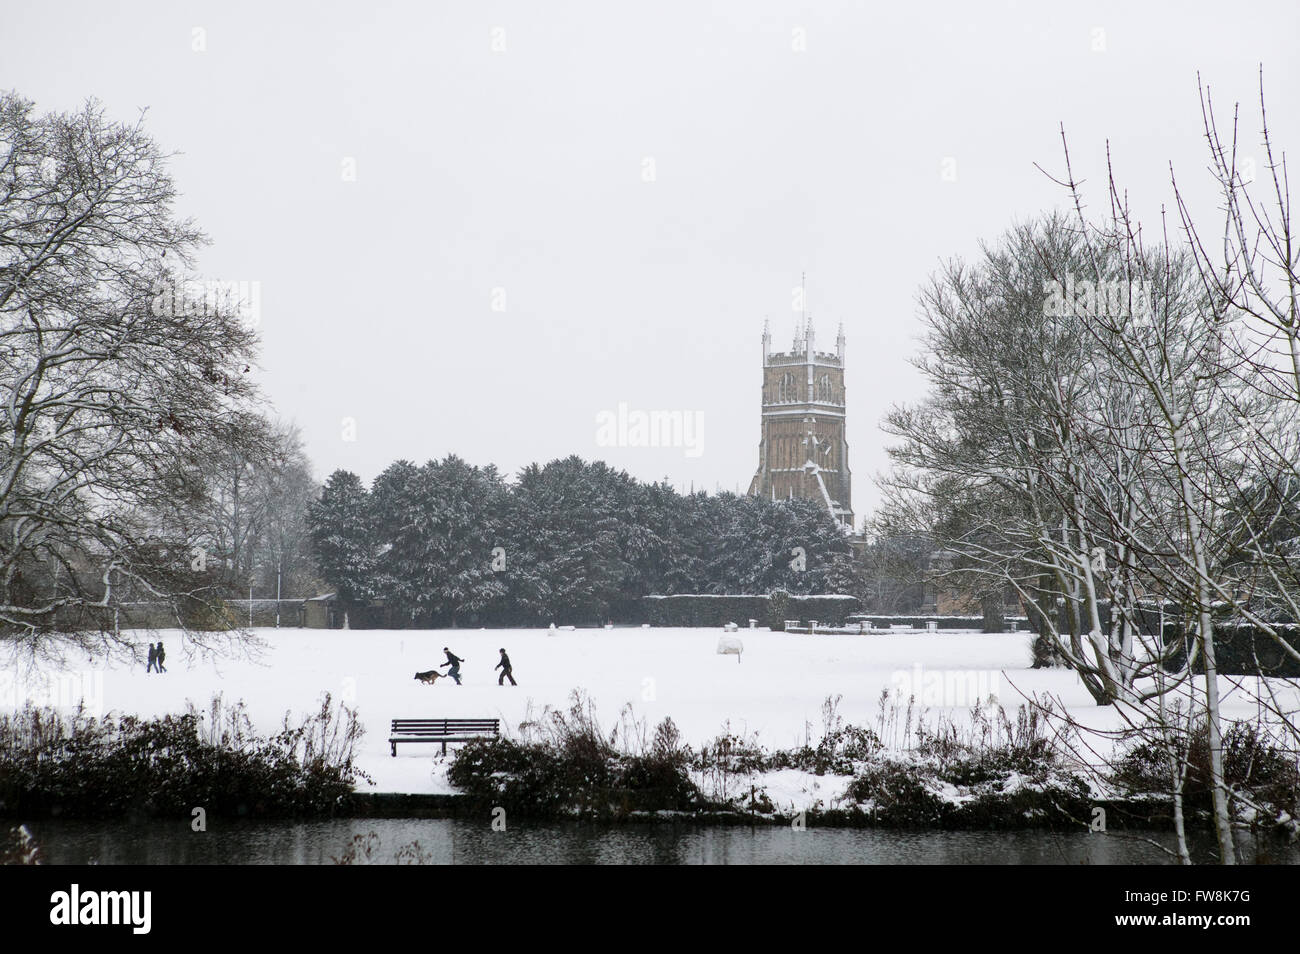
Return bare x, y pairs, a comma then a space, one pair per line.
1216, 370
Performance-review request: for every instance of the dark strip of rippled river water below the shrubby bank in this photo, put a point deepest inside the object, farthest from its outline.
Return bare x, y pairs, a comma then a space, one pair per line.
458, 842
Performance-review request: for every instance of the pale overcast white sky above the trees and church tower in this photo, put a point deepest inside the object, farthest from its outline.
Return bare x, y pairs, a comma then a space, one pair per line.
522, 170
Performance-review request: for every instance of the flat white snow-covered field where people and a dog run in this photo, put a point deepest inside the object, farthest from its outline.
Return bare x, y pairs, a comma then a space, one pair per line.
777, 690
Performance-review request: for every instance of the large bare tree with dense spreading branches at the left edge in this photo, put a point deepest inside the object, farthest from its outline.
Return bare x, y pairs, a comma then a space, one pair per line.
114, 393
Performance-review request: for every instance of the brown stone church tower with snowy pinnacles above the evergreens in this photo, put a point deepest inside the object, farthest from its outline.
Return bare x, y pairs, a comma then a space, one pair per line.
803, 452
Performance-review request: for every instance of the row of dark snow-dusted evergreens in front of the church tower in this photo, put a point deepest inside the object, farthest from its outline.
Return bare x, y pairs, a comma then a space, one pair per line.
571, 541
